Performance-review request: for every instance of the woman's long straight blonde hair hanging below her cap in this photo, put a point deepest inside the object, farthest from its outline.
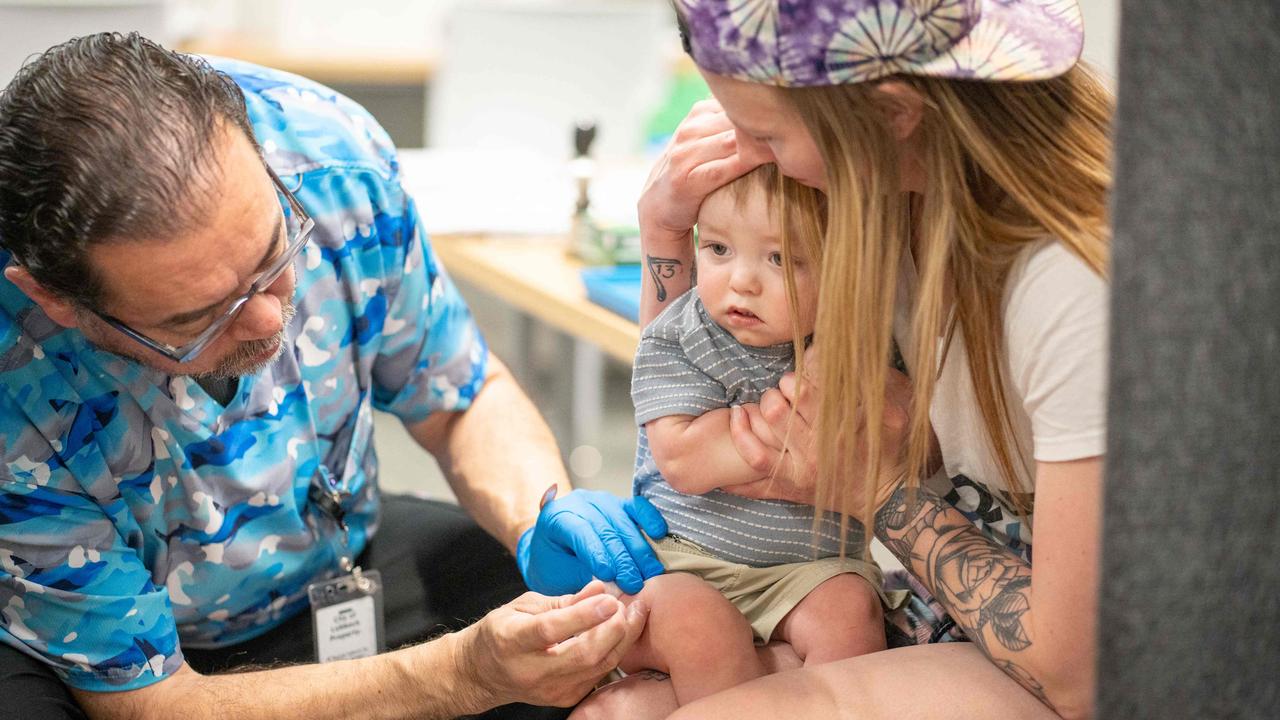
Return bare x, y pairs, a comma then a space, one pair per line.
1007, 165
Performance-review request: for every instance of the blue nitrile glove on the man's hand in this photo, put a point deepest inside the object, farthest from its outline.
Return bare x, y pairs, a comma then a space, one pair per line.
591, 534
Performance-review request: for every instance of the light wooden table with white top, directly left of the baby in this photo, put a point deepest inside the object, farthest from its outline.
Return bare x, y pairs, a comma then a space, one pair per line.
540, 279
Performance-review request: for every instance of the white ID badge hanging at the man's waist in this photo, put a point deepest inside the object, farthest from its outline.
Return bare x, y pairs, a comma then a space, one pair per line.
348, 617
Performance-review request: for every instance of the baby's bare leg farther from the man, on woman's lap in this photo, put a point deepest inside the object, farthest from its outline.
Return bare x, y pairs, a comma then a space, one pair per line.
842, 618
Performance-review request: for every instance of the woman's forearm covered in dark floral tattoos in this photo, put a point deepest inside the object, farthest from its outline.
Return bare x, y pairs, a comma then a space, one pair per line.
988, 591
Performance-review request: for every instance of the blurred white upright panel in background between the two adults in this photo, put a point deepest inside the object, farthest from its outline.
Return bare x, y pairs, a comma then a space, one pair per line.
519, 75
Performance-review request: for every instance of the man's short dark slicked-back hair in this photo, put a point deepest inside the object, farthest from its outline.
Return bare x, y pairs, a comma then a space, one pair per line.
106, 139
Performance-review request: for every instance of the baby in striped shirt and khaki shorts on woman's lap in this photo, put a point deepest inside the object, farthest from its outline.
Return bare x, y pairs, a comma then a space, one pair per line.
739, 571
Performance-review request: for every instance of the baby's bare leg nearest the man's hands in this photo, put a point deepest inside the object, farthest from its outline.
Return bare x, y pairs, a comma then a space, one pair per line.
696, 636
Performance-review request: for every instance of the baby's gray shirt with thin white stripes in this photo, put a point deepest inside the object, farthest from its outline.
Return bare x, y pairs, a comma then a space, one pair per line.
688, 366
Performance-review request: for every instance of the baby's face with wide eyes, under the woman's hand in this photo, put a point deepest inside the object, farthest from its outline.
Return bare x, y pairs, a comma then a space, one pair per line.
740, 276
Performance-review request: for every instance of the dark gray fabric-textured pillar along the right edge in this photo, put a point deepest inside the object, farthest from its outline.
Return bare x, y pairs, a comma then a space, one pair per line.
1191, 596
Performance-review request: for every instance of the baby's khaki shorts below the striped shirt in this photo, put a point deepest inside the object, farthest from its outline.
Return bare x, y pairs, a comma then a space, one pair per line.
766, 595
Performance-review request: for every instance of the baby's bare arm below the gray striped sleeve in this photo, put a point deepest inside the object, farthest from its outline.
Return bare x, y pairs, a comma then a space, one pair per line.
696, 453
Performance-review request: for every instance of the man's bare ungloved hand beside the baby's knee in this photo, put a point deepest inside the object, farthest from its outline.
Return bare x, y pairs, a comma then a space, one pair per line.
550, 650
